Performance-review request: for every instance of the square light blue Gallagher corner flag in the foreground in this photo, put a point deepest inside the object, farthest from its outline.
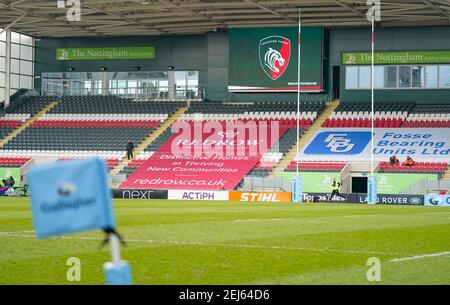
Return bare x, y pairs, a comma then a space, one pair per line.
70, 196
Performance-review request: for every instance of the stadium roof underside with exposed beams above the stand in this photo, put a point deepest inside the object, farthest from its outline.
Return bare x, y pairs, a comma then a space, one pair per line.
43, 18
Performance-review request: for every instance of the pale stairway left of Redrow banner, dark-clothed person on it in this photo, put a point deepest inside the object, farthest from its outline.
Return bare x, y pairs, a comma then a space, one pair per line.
147, 141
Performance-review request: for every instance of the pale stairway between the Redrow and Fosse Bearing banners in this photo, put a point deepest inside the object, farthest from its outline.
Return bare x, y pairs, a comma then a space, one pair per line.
304, 139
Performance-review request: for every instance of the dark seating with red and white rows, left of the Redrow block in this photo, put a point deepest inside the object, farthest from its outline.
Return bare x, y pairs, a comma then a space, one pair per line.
79, 127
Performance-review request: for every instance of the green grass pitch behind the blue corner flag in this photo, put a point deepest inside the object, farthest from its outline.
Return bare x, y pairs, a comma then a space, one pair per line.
188, 242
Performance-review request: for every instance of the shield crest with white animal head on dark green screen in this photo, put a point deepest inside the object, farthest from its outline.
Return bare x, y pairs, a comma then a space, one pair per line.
274, 55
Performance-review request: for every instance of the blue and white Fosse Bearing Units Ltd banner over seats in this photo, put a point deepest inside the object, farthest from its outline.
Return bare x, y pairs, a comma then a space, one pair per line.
345, 144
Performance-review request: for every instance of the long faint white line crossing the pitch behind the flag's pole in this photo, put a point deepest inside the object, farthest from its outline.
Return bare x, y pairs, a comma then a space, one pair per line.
172, 242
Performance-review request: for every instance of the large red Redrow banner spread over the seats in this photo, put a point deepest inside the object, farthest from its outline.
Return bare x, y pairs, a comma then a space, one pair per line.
208, 155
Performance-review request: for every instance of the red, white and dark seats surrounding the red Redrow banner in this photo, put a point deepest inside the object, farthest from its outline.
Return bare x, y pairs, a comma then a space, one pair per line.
282, 112
